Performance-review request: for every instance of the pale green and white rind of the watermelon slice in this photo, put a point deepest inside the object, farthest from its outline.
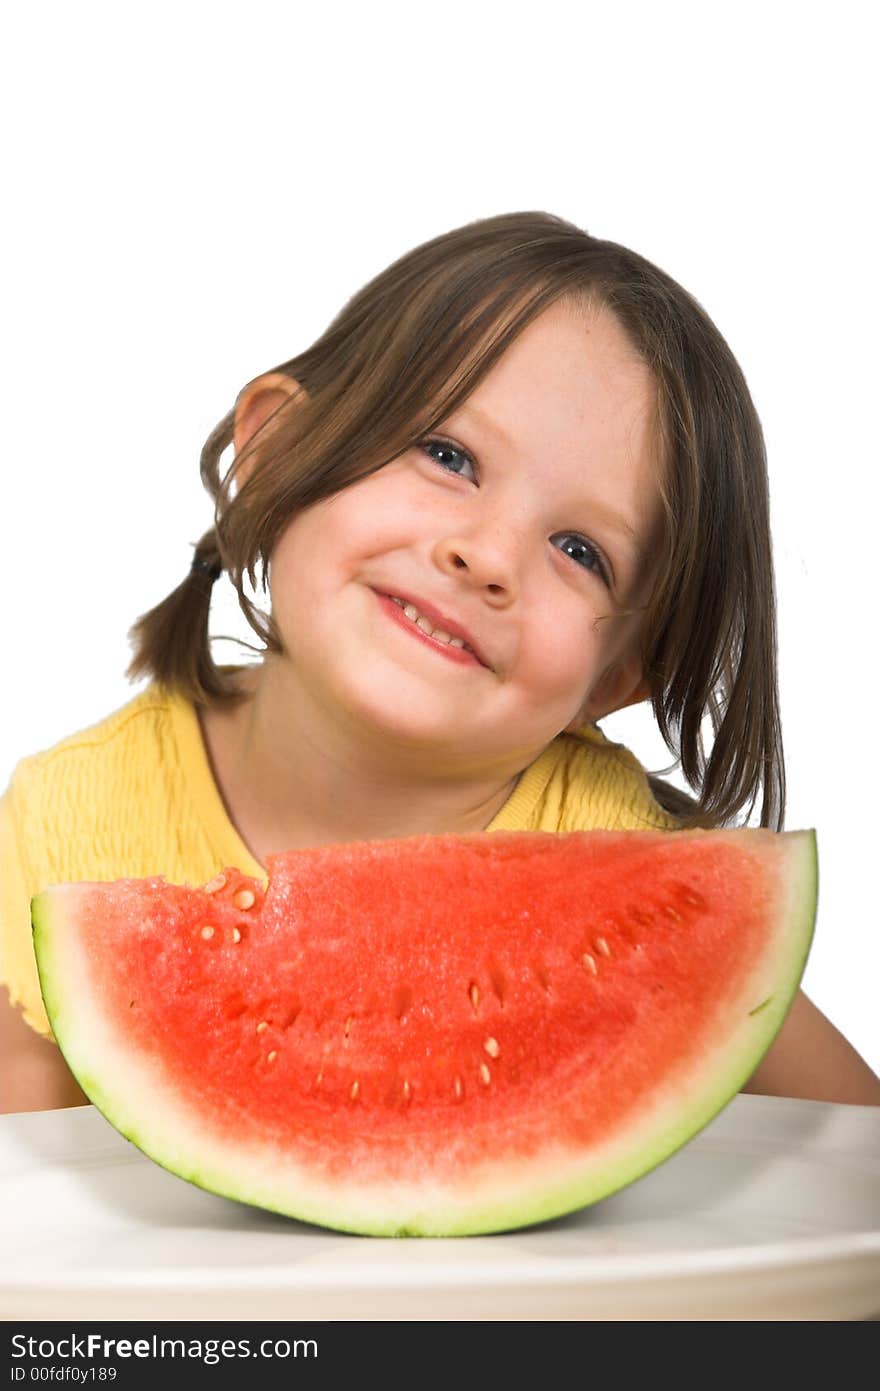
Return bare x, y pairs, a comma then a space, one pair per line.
508, 1197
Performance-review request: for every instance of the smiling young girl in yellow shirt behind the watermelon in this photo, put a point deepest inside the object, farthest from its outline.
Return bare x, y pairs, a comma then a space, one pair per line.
518, 485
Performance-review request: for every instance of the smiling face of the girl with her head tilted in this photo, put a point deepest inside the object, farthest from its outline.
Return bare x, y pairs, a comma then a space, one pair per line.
528, 522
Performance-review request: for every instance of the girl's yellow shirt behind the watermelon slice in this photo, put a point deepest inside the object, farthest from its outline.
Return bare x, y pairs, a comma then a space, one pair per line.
136, 796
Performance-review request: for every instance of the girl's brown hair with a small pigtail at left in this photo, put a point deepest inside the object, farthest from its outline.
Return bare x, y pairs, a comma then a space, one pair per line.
402, 355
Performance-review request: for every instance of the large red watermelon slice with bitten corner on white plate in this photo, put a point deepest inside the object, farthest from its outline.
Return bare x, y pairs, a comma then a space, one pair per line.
434, 1036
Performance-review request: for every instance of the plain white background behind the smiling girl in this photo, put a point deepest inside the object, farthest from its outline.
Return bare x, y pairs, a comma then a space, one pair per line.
195, 190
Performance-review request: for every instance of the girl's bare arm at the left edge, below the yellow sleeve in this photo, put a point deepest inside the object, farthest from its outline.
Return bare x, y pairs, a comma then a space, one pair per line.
34, 1076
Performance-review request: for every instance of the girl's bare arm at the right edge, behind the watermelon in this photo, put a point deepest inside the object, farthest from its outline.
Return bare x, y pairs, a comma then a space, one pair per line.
811, 1059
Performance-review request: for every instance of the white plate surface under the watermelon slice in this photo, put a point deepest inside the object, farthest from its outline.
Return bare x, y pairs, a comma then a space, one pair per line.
774, 1212
